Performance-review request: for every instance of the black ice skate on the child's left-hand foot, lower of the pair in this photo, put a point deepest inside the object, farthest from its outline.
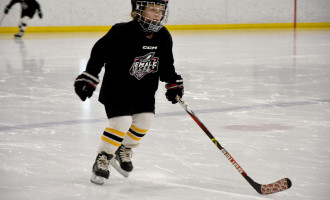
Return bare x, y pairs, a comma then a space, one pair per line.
101, 168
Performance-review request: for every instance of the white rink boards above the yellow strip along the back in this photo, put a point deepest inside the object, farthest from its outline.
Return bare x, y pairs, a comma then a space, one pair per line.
109, 12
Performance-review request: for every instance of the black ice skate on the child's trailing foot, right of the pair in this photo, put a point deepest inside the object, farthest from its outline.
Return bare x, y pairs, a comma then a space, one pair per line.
122, 162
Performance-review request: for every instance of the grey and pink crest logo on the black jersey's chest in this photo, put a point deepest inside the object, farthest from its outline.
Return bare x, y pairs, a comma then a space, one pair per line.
144, 65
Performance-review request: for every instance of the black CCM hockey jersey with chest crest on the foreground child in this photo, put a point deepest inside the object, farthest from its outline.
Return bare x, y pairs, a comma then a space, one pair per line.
133, 65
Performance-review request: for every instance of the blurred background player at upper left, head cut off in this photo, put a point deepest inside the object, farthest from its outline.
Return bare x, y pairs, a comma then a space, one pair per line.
29, 8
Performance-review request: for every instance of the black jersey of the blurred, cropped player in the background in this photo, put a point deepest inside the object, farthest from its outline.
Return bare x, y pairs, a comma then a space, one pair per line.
29, 7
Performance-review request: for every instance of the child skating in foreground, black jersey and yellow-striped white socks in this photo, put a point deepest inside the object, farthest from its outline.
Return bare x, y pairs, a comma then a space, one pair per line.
136, 55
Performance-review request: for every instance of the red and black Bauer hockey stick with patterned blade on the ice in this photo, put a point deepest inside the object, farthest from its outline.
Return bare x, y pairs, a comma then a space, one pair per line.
271, 188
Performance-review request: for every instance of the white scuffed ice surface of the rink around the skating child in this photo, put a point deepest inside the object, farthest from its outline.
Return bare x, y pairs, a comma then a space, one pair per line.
264, 94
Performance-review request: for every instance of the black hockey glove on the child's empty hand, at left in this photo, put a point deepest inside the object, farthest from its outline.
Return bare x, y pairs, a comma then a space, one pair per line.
85, 85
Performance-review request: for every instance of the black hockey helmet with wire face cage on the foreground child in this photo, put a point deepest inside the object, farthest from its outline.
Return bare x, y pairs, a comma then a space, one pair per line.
148, 25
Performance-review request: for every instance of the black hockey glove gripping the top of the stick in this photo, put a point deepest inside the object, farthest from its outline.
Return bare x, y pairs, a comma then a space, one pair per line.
173, 89
